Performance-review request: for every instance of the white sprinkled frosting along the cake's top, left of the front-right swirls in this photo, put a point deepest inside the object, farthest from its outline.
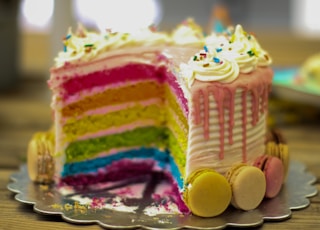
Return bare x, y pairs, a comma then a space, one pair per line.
84, 45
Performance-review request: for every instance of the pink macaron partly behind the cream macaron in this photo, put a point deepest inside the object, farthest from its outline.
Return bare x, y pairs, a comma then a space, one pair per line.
272, 167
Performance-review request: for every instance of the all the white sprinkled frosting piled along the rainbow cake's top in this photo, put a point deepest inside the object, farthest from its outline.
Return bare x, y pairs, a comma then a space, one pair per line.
223, 57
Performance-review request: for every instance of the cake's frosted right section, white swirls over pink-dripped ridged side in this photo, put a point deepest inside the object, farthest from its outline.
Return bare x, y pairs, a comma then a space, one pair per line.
229, 82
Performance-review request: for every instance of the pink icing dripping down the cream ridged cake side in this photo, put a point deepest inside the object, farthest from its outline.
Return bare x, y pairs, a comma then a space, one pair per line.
257, 83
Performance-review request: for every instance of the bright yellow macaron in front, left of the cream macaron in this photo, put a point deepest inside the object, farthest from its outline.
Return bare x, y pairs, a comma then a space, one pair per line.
207, 193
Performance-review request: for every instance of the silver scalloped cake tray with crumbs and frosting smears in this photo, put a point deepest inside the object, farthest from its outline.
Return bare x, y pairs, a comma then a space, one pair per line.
147, 203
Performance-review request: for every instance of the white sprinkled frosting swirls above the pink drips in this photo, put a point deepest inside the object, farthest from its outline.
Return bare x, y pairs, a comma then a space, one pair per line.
225, 56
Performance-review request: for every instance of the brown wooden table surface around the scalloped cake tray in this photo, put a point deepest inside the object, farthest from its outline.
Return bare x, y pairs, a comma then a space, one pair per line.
26, 110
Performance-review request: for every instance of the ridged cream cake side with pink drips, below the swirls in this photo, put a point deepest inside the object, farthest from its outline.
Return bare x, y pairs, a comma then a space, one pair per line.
231, 126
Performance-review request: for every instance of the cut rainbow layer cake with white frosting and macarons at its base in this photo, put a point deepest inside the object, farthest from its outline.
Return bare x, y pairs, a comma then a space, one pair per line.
181, 103
